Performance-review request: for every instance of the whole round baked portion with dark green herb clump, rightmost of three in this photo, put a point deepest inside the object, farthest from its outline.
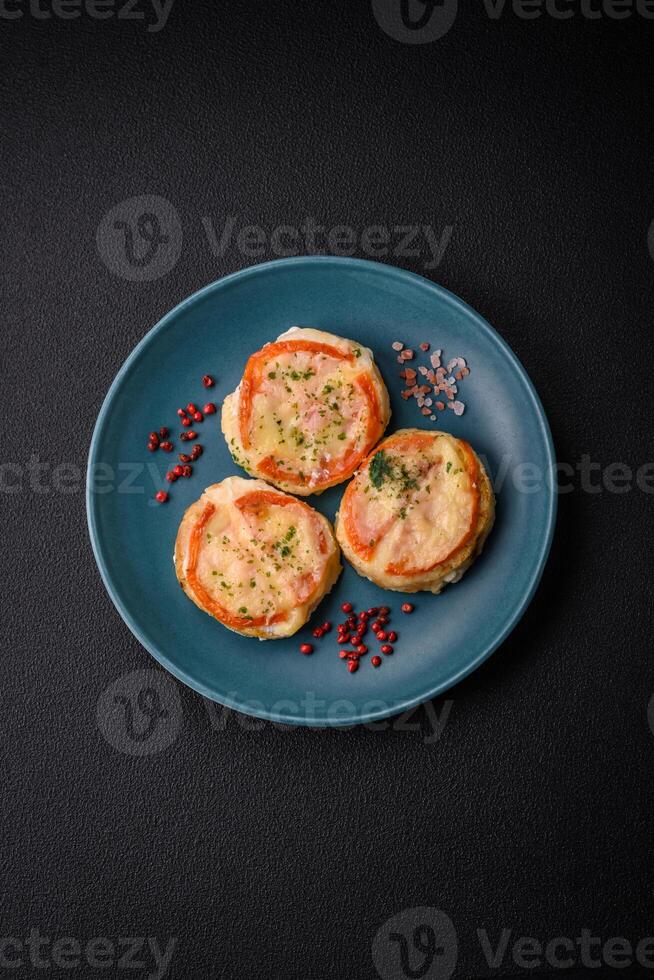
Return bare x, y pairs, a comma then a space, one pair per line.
417, 513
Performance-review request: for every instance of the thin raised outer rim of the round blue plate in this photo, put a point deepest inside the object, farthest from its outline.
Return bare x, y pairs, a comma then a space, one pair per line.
241, 705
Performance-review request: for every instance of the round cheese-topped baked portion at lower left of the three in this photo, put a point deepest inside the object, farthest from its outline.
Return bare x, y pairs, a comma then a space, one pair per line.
257, 559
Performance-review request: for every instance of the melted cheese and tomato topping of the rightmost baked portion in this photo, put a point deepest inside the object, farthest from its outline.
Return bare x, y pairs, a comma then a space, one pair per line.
413, 504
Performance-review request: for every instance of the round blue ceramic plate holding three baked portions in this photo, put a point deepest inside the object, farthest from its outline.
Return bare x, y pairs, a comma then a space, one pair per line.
214, 332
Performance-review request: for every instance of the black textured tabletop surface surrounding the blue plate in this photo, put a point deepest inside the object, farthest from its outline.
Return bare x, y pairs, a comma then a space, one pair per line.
279, 854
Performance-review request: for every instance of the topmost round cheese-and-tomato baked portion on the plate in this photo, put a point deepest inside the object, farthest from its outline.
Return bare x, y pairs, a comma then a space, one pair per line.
308, 410
